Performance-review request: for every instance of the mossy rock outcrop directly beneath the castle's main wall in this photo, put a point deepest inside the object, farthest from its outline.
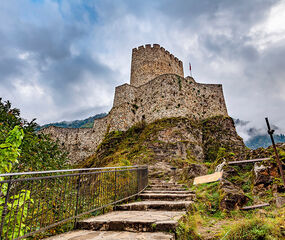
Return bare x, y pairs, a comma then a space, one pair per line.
166, 143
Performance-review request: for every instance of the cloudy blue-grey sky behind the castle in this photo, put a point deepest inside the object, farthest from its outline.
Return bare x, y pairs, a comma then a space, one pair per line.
61, 59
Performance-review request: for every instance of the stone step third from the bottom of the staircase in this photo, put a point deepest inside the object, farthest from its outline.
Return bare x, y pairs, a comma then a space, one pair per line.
155, 205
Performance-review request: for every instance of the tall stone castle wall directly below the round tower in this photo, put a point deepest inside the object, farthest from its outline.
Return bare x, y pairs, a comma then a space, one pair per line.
166, 96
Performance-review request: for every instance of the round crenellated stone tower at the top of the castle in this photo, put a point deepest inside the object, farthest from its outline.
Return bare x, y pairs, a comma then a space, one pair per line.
149, 62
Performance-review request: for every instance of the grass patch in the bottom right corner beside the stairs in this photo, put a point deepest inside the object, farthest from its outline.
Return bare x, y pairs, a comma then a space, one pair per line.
267, 223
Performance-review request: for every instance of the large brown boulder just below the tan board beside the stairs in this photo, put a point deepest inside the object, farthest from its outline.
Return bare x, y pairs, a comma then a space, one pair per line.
231, 196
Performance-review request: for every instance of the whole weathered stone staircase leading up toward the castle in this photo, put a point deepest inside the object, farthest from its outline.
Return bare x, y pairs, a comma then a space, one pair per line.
156, 216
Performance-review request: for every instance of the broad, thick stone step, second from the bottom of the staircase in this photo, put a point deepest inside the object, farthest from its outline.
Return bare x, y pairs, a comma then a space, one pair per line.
141, 221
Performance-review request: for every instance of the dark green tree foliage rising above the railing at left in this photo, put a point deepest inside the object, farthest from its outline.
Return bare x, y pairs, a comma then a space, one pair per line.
39, 152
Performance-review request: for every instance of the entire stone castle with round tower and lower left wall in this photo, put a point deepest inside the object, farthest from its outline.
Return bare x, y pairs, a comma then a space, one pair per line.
157, 89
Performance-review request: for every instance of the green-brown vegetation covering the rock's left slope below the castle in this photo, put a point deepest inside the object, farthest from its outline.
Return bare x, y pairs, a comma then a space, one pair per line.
133, 145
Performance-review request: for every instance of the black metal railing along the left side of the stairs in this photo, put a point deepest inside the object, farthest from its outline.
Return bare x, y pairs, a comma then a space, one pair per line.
33, 202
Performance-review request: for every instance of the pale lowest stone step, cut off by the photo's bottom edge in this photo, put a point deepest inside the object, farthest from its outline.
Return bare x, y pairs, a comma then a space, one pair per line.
112, 235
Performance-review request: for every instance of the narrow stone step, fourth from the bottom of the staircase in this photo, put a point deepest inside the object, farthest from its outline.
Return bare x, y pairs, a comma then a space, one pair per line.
167, 196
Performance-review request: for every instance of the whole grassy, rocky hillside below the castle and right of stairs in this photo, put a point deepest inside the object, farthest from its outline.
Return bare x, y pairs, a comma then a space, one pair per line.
195, 148
